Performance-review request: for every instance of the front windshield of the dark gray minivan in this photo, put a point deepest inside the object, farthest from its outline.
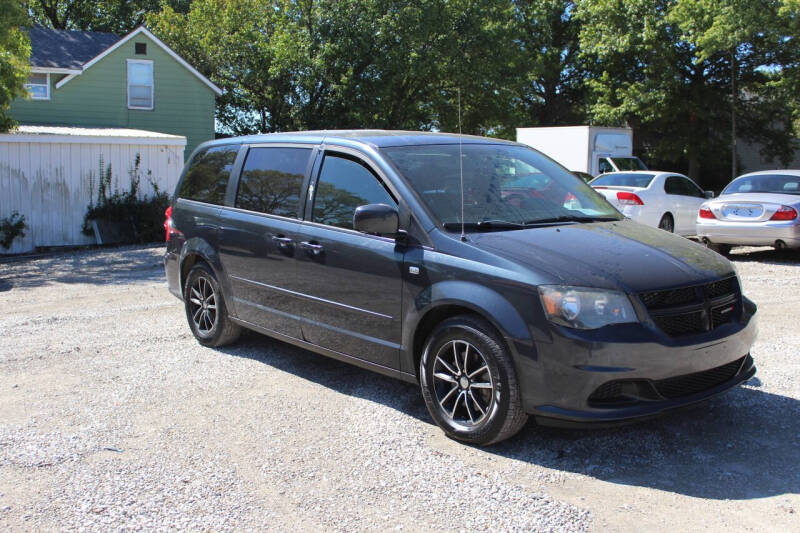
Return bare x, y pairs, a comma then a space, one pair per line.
505, 187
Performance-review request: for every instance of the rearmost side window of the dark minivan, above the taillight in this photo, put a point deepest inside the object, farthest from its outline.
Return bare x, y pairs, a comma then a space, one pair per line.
208, 174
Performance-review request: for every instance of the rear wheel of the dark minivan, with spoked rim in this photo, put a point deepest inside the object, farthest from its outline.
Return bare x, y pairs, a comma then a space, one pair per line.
206, 311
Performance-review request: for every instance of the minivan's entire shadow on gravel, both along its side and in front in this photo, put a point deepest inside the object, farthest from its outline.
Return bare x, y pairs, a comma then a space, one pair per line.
741, 445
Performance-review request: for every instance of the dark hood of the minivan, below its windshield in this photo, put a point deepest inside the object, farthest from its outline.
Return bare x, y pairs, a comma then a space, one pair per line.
617, 255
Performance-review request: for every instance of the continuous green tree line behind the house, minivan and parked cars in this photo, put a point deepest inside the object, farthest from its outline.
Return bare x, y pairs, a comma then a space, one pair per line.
671, 69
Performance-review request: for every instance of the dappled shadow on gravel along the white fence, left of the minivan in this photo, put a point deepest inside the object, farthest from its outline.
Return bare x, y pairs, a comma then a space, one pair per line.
96, 267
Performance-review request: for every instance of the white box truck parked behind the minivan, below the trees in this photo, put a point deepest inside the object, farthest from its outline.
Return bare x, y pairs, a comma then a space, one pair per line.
590, 149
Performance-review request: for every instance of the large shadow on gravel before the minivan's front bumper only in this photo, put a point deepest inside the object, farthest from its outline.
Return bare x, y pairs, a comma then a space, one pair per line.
742, 445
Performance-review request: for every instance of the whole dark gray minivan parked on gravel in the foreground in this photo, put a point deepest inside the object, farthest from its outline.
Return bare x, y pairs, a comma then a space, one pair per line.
479, 268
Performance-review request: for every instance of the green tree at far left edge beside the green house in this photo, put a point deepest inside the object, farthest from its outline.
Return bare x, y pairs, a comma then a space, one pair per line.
15, 51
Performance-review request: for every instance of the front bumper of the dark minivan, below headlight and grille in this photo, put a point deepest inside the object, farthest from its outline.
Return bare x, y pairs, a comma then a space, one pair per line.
560, 385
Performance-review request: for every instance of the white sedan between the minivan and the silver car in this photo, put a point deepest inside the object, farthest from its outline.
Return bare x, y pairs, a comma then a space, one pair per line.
665, 200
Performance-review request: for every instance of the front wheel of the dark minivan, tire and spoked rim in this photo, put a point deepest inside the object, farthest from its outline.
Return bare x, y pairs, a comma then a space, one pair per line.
469, 383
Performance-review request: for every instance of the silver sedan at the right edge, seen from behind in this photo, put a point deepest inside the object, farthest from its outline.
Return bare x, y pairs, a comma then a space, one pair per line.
756, 209
